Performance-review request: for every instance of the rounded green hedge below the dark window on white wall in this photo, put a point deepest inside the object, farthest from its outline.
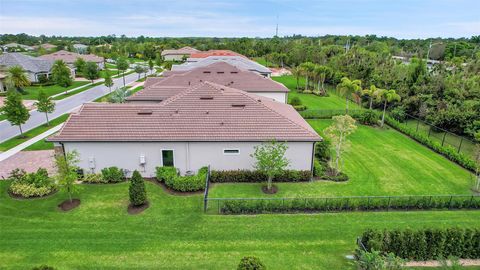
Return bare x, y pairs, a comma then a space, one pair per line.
169, 176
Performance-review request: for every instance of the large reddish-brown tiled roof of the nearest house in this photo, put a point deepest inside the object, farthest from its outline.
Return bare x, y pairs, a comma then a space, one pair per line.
205, 112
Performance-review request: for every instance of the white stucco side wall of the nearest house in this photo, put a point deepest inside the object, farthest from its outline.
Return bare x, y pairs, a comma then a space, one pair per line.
188, 156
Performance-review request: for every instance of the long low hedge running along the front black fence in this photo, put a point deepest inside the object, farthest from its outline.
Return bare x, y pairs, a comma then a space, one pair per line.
259, 206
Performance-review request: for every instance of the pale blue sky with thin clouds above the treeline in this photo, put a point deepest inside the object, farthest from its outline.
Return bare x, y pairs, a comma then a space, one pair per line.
241, 18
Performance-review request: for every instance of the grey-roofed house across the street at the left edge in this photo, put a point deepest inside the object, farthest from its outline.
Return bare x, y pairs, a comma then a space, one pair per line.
33, 66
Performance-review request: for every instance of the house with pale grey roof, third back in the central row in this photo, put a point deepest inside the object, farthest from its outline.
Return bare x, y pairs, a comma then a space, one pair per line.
240, 62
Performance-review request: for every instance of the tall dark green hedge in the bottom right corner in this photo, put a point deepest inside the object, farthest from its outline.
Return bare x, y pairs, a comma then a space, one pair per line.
425, 244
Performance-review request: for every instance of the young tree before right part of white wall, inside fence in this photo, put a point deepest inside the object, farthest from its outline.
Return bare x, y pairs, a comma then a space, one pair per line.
270, 159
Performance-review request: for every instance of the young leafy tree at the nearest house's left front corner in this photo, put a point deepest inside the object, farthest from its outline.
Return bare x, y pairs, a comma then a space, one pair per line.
67, 172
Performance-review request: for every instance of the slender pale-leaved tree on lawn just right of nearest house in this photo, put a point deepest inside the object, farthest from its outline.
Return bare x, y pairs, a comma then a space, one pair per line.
342, 126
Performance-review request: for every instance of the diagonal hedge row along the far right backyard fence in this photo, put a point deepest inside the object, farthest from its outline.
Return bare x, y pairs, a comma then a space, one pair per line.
448, 151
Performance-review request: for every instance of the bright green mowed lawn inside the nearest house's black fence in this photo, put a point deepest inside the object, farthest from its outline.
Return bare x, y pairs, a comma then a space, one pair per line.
378, 162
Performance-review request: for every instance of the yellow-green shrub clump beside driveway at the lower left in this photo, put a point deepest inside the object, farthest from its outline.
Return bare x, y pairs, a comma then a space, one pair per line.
29, 185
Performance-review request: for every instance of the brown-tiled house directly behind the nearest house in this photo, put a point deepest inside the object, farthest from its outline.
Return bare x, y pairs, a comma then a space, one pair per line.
158, 88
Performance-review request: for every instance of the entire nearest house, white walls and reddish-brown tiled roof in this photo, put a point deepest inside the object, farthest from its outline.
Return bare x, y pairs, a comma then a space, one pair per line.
206, 124
